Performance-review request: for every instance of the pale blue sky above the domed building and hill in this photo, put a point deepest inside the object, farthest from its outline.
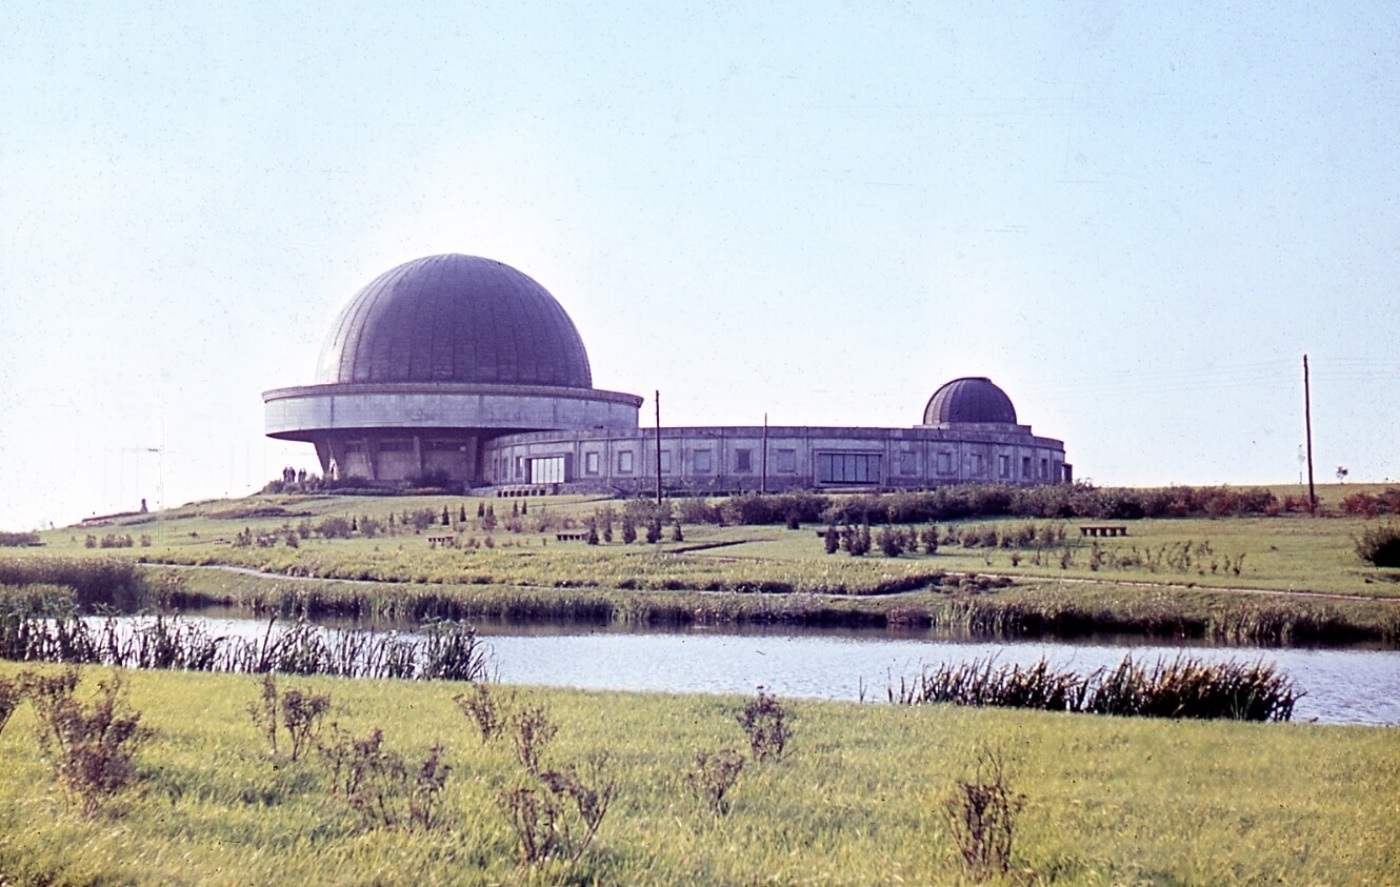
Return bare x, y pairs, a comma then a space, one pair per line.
1135, 219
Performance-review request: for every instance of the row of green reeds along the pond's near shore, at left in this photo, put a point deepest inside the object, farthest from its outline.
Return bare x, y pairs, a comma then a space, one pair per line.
444, 651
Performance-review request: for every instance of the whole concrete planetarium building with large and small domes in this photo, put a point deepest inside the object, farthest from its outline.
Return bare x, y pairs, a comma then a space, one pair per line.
463, 371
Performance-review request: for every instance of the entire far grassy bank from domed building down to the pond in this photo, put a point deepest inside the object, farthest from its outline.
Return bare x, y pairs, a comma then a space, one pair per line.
1235, 580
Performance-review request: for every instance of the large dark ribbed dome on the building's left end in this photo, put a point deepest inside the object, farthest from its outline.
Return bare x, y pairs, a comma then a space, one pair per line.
456, 320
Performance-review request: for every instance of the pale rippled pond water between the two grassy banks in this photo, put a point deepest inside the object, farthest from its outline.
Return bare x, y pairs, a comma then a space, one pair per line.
1343, 686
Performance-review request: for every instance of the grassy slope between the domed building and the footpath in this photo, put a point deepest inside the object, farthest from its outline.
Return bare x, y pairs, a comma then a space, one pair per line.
1289, 553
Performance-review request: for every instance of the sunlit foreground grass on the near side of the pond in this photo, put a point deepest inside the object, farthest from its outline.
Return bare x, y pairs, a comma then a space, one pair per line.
859, 800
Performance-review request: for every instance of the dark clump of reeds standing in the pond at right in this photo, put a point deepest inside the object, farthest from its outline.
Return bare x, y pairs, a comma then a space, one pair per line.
1184, 688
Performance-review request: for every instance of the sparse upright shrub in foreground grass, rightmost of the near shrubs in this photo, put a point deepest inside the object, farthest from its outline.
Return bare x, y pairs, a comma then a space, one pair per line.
982, 815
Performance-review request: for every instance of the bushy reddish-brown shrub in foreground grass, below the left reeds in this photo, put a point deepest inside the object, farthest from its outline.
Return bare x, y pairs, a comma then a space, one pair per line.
93, 748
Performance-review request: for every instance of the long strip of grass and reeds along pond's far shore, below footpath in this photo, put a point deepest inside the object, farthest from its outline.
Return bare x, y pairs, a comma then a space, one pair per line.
961, 609
